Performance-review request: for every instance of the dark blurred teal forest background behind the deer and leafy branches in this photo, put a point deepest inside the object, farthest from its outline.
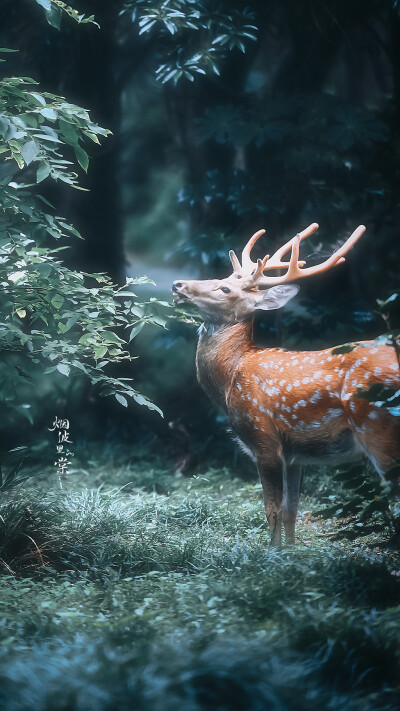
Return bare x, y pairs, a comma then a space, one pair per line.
302, 126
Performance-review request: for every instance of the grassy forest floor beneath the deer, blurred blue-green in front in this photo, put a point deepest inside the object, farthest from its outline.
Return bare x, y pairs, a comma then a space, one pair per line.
137, 588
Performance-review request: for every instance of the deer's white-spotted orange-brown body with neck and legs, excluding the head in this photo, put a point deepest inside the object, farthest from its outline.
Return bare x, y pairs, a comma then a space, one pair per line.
294, 406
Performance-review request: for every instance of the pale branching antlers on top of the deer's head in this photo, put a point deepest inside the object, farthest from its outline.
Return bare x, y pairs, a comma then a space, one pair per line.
254, 271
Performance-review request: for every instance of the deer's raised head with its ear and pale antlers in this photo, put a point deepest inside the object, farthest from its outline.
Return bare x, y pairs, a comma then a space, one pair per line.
249, 288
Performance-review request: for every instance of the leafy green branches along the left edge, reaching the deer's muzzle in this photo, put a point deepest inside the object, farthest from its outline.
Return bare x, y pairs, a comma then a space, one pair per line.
59, 319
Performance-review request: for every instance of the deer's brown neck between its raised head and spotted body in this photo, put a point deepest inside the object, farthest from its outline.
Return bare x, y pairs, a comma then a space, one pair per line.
220, 352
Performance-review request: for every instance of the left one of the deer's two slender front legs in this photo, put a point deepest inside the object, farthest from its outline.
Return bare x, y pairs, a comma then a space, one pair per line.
272, 484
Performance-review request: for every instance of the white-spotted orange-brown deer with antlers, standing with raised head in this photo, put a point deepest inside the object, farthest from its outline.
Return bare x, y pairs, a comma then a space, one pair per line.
288, 408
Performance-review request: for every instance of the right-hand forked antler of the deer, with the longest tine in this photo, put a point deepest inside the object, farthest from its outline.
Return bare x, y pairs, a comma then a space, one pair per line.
294, 271
